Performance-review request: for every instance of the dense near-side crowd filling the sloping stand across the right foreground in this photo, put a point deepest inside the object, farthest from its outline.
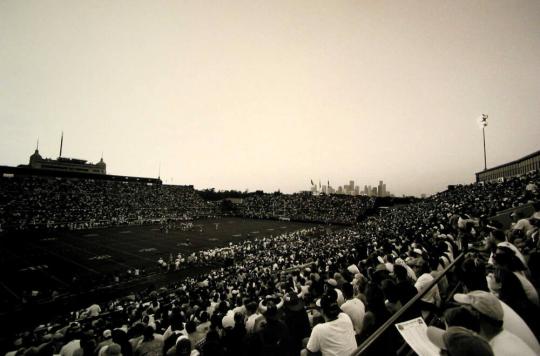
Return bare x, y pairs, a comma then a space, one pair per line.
318, 290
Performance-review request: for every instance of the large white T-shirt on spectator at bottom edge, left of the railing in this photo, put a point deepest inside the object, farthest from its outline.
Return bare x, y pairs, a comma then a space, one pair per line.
333, 338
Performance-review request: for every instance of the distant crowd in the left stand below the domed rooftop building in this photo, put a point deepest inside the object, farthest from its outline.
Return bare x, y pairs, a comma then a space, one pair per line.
29, 203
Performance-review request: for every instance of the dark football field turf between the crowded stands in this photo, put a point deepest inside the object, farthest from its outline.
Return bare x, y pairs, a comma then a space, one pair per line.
50, 260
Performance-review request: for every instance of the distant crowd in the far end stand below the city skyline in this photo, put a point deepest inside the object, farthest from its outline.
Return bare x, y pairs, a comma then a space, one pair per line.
341, 209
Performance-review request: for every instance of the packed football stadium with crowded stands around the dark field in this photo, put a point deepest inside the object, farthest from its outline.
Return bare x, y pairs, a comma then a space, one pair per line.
81, 253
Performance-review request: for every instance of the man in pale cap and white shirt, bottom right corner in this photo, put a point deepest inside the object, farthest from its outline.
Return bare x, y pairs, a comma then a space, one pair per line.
490, 315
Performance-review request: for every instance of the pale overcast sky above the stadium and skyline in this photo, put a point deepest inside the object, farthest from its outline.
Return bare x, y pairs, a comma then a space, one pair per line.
270, 94
